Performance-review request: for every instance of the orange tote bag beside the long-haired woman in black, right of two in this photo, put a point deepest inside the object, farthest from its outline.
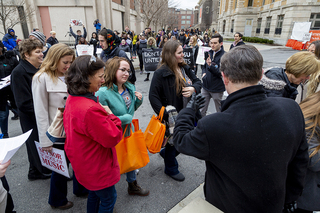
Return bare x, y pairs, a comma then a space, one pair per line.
154, 133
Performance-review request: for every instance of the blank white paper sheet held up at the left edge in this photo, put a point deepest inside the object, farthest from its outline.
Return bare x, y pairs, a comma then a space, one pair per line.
9, 146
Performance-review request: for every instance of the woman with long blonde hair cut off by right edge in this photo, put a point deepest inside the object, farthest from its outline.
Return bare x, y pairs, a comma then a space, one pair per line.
309, 200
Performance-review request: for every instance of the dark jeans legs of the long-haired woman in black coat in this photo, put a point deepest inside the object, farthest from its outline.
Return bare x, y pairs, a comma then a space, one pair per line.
169, 154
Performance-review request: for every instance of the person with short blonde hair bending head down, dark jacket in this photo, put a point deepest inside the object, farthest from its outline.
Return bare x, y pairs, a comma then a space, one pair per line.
279, 82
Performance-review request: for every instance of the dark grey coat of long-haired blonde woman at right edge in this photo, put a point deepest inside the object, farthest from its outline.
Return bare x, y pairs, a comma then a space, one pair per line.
310, 198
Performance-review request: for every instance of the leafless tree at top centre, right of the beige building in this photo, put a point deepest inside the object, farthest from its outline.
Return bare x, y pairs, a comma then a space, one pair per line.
151, 10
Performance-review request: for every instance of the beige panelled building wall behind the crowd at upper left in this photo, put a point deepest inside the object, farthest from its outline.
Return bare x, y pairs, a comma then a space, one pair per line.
55, 15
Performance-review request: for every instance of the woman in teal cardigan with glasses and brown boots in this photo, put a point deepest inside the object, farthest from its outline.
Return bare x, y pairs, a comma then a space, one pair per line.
122, 99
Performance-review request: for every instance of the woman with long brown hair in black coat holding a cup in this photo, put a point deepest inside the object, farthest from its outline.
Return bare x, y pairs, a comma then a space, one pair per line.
172, 84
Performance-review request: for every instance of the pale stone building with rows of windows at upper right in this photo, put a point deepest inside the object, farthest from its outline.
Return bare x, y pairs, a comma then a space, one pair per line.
271, 19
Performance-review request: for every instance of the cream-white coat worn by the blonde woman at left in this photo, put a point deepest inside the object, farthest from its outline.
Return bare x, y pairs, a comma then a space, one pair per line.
47, 97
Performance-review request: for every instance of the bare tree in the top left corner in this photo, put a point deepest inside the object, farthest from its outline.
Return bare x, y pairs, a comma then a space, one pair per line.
13, 12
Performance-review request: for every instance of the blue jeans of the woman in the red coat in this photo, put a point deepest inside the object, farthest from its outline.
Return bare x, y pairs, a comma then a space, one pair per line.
102, 201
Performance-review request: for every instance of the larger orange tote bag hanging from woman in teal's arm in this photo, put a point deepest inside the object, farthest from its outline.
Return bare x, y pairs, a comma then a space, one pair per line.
132, 152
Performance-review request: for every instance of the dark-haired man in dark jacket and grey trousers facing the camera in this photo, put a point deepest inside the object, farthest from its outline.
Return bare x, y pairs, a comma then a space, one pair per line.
211, 77
